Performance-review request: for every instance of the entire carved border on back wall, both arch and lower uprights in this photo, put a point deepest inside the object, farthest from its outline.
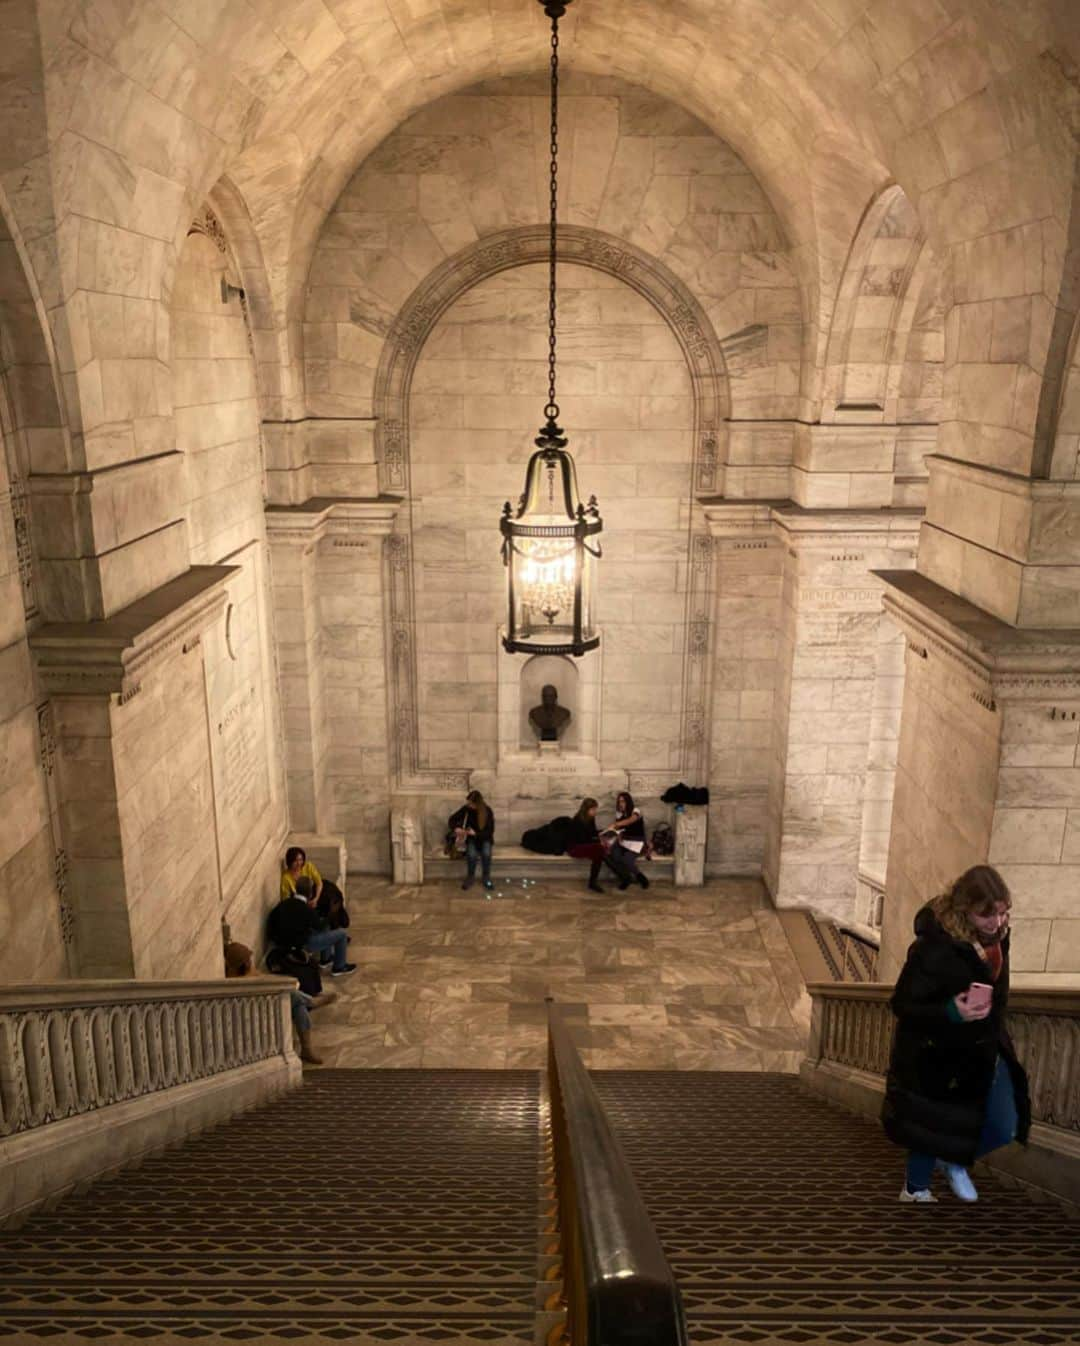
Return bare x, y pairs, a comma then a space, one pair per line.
405, 344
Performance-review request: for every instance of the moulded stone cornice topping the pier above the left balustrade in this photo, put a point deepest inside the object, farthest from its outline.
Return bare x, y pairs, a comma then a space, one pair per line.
111, 658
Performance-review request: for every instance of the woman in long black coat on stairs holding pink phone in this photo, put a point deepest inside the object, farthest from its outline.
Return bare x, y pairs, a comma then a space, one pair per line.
955, 1090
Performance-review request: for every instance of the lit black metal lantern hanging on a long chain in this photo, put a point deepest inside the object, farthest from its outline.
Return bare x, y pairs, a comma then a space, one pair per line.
546, 544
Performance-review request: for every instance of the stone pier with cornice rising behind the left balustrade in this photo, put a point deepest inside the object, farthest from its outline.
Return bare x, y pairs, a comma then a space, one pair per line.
134, 784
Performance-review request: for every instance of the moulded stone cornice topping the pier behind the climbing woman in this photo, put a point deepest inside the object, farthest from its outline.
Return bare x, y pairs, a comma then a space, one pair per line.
1013, 664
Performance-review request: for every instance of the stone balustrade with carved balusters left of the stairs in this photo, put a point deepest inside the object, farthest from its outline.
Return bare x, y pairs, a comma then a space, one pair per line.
95, 1073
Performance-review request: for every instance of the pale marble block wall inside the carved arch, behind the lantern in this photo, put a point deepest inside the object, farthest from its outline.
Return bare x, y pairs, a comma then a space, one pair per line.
476, 406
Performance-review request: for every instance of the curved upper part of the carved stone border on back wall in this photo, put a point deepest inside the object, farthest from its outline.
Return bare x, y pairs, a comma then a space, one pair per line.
522, 247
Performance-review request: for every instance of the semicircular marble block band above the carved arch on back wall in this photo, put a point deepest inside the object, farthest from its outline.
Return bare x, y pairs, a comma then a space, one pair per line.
634, 166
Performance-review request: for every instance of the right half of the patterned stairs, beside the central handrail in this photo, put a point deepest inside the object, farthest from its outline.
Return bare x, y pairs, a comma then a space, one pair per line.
780, 1219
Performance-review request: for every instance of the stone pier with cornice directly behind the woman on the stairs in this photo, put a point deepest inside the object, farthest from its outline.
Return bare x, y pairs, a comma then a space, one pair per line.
989, 769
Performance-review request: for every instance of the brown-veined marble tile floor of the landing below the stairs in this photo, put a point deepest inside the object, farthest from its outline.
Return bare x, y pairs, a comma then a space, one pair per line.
696, 979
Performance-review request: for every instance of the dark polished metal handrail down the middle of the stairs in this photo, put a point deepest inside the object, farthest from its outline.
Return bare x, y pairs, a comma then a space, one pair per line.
619, 1286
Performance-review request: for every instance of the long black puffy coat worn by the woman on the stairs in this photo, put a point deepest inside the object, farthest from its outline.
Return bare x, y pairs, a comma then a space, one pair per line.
941, 1071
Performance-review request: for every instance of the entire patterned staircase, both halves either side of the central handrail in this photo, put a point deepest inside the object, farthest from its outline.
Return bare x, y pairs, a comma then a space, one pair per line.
411, 1207
